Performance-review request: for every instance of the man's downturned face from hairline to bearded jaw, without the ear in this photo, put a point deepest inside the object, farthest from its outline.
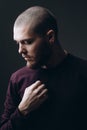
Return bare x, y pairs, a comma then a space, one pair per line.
33, 48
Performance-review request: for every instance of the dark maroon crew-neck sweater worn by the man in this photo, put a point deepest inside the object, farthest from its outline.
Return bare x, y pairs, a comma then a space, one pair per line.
66, 107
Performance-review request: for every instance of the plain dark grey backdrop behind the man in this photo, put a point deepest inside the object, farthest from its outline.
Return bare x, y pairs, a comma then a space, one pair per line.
72, 21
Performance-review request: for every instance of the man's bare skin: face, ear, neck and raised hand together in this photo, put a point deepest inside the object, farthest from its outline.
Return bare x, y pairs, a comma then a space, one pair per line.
38, 52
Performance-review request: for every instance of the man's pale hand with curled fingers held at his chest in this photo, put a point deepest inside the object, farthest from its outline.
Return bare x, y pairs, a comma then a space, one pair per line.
34, 95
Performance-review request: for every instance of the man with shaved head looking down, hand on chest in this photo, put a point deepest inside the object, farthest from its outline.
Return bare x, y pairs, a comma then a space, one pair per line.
50, 92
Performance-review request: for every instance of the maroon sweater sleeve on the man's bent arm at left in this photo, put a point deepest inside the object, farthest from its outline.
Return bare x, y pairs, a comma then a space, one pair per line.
11, 118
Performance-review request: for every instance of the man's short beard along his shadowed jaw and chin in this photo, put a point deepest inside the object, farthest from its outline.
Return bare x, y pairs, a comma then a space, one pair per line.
41, 59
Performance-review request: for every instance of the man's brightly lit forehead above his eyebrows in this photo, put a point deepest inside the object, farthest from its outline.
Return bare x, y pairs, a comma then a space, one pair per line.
22, 32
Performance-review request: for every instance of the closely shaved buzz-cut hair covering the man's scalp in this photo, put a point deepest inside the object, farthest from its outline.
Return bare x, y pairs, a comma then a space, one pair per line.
38, 19
